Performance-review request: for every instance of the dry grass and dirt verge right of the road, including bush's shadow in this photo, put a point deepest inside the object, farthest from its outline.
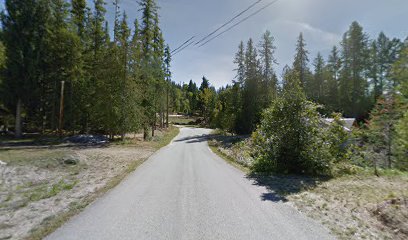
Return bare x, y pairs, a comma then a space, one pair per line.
360, 206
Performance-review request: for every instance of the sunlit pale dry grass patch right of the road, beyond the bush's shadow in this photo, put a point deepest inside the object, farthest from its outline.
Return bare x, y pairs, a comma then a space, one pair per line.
359, 207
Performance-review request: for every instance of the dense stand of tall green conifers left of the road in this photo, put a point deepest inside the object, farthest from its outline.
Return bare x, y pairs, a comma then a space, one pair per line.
62, 72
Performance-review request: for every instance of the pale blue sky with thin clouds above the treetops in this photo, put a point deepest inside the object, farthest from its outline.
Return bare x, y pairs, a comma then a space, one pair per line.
322, 22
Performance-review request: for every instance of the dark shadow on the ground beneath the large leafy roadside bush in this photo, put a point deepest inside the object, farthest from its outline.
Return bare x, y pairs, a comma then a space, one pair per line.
281, 186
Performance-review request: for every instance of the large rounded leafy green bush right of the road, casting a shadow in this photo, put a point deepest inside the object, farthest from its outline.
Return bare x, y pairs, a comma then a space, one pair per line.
291, 139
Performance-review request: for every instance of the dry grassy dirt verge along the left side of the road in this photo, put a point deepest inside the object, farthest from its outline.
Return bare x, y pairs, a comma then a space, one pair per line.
42, 188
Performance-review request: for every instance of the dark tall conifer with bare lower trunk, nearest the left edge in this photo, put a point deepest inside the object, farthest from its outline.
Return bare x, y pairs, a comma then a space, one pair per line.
24, 31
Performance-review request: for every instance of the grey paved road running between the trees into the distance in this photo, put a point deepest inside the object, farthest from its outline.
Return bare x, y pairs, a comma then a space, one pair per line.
184, 191
